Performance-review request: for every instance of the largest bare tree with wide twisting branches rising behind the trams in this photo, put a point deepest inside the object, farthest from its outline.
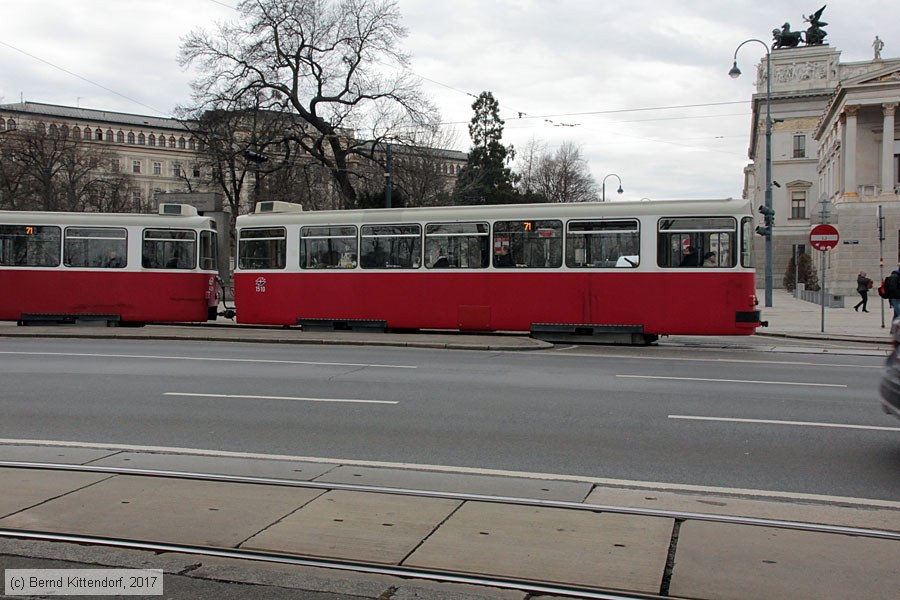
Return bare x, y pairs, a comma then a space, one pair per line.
334, 66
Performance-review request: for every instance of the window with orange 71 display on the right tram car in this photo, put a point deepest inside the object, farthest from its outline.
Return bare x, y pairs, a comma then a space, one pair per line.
528, 244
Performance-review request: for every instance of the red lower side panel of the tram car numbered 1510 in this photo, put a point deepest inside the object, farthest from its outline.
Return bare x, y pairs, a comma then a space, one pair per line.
684, 303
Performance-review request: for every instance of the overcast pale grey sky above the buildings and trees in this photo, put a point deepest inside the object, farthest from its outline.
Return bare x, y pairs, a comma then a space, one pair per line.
631, 83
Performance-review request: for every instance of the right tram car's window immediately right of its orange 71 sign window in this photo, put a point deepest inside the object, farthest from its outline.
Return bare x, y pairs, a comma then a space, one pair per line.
602, 244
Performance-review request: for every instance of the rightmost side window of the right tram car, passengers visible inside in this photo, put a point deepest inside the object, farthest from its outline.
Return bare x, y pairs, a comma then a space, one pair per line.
697, 241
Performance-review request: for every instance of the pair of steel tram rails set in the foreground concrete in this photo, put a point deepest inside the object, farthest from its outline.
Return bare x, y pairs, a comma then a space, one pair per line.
425, 572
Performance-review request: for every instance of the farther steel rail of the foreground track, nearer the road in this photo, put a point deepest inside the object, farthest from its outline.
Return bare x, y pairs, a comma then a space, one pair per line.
645, 512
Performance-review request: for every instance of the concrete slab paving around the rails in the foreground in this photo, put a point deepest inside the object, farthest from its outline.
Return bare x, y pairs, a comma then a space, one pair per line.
597, 548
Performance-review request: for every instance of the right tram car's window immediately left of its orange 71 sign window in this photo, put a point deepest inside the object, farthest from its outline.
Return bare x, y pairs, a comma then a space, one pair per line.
457, 245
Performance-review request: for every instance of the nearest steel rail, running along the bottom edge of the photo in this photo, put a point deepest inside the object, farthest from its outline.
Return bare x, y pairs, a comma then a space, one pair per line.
524, 585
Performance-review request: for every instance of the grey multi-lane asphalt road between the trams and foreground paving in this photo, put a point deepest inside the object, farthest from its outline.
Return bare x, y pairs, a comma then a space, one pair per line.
738, 418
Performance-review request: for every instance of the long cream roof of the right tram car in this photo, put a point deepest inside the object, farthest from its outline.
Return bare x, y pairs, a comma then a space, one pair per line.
581, 210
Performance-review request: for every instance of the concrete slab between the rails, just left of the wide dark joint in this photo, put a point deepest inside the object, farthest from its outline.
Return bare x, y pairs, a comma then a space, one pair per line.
551, 545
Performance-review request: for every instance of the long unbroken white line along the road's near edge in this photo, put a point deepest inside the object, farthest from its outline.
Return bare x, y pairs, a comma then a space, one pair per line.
600, 481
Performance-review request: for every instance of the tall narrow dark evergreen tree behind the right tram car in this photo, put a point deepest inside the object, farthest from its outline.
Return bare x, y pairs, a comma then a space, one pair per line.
486, 178
